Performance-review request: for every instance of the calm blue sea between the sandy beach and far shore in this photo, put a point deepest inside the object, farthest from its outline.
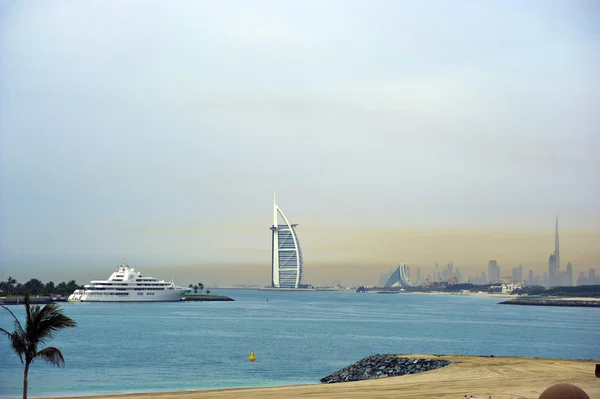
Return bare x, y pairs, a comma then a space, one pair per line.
298, 337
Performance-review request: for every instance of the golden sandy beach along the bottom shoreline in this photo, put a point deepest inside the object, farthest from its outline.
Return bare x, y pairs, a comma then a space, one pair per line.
498, 377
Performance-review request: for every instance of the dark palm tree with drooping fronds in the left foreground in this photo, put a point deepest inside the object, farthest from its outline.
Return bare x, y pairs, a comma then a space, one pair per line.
40, 326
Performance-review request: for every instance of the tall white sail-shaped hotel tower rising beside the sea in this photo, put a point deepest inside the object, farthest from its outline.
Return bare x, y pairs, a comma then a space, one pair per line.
286, 255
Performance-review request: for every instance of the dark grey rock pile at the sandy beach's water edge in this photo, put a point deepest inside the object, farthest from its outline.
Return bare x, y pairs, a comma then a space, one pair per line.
379, 366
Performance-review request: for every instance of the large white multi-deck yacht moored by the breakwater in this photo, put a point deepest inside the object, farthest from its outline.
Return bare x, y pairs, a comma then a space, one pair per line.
127, 285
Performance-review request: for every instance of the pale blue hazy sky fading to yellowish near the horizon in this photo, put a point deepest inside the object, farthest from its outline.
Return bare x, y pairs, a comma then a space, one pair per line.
157, 130
